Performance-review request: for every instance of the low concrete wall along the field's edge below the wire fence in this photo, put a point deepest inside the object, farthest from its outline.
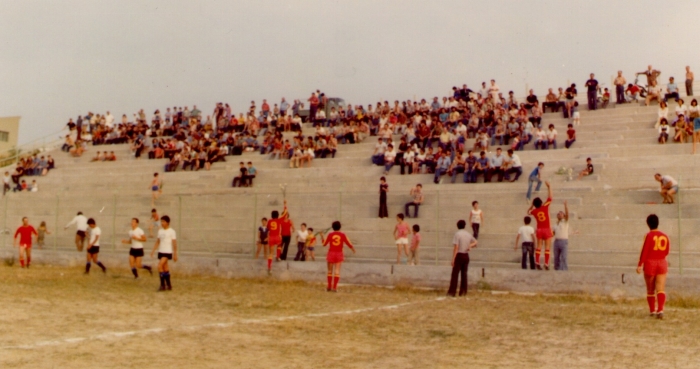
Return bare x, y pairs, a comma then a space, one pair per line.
611, 284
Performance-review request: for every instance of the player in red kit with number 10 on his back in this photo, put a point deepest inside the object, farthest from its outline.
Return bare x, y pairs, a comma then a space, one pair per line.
653, 262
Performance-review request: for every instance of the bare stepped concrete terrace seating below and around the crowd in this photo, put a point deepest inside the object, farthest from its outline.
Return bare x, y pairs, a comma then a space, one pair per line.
607, 209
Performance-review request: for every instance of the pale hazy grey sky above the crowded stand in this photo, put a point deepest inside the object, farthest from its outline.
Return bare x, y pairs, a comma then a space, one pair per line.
62, 58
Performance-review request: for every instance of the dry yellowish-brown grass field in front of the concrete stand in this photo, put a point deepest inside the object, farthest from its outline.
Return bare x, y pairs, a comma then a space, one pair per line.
58, 318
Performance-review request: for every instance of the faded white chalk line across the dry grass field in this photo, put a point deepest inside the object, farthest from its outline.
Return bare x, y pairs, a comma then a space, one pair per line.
108, 335
